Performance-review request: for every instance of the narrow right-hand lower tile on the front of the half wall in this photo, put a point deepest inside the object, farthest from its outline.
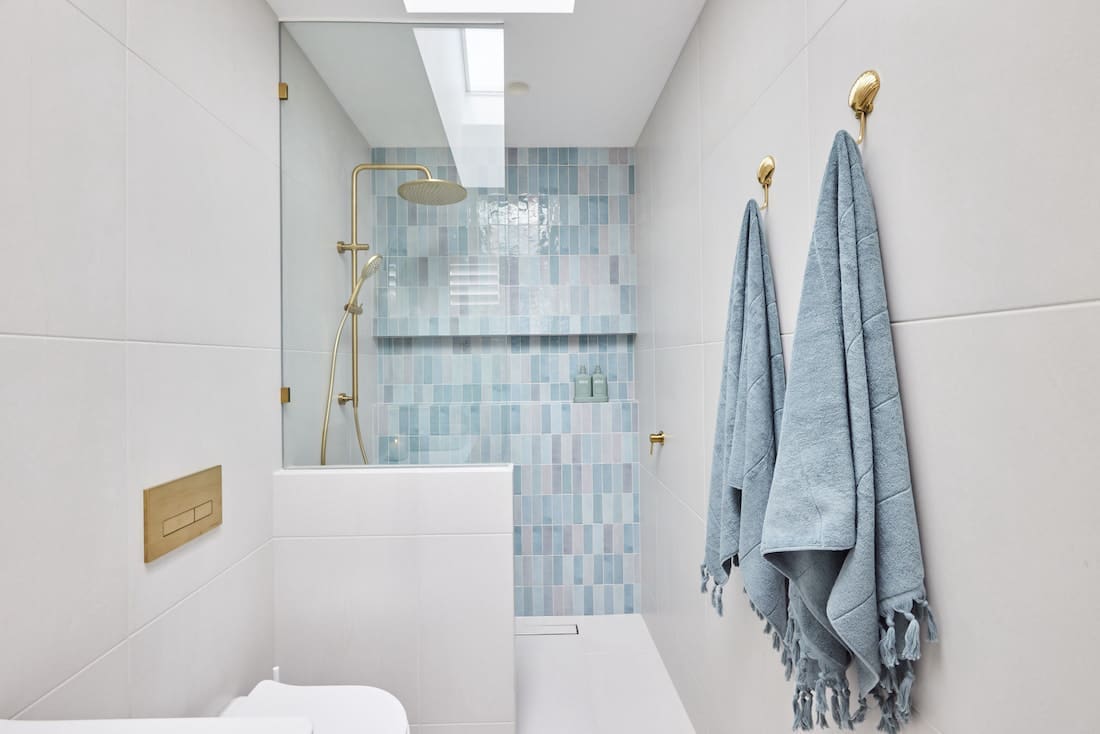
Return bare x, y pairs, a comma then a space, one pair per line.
467, 629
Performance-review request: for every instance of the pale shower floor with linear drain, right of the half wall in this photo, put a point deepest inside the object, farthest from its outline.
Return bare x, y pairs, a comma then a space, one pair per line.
609, 680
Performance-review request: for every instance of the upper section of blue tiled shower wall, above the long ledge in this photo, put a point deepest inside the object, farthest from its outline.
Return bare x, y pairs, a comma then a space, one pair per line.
551, 255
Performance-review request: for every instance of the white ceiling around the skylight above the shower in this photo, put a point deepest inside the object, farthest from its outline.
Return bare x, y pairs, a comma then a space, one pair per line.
595, 74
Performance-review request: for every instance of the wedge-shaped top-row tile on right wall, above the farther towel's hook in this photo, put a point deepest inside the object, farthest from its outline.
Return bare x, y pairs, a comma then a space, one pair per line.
743, 49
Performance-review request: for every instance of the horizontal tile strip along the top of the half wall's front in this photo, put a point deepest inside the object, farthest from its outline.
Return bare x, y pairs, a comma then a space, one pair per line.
386, 501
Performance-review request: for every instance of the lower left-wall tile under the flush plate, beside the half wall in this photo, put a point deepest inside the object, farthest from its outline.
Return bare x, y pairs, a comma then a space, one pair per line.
210, 649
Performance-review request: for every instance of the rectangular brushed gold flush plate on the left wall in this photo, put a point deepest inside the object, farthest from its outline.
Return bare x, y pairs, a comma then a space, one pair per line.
181, 511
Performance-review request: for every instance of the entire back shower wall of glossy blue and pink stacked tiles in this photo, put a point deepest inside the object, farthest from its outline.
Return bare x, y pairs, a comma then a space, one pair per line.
487, 312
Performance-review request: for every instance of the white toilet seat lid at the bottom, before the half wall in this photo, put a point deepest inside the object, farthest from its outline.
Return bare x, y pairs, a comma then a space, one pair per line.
332, 709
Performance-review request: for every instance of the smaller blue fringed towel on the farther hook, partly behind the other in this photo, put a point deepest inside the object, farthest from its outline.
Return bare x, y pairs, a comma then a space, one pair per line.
751, 410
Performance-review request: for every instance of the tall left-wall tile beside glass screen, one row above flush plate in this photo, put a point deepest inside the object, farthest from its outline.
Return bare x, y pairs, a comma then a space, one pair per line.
203, 256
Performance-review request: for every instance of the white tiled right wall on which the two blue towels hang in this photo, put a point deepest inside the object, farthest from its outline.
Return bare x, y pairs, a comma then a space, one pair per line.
986, 203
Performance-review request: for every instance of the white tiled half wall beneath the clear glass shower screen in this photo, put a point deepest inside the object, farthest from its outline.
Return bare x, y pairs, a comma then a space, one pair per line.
401, 578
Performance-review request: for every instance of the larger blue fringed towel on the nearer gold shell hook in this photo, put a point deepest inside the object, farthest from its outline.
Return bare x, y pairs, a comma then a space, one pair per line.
841, 522
